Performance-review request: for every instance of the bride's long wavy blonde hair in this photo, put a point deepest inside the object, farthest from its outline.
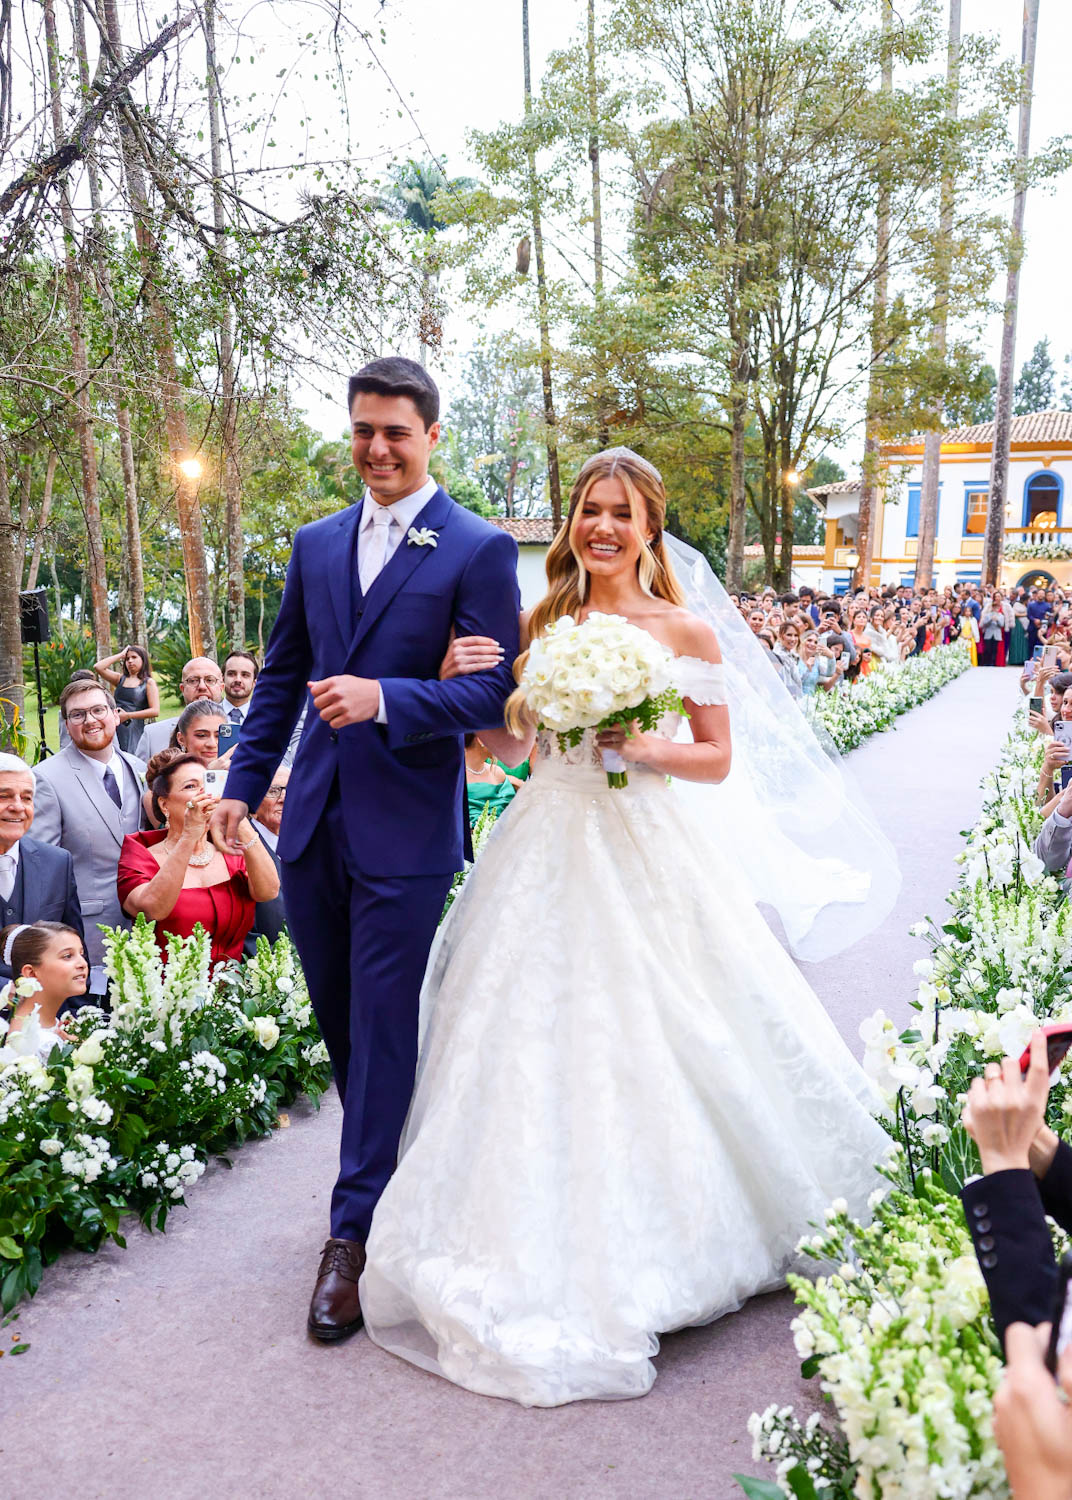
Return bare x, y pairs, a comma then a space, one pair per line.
567, 577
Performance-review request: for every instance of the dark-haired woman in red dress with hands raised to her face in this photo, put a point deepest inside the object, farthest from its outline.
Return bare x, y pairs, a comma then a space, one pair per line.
178, 878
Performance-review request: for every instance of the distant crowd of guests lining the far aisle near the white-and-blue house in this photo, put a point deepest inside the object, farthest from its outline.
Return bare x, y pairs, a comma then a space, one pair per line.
818, 641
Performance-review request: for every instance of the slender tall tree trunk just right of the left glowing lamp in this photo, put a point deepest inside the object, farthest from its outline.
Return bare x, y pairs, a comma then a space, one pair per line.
236, 583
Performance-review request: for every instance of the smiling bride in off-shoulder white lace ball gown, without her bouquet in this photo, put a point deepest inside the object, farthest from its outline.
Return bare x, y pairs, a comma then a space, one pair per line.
629, 1106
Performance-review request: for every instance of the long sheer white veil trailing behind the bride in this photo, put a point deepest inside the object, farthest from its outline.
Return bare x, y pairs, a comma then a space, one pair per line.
803, 838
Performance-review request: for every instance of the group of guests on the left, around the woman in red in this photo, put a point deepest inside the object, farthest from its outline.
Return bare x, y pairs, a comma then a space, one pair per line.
97, 835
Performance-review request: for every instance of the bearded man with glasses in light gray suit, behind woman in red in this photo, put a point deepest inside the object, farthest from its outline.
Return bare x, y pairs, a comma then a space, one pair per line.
88, 800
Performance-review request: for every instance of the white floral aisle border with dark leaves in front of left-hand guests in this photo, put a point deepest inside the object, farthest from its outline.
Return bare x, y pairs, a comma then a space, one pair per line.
125, 1118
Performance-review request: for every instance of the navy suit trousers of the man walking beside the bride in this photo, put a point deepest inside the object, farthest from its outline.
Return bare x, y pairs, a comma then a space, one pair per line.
364, 943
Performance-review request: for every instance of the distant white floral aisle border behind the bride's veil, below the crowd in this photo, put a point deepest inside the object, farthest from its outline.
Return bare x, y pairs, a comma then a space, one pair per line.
854, 712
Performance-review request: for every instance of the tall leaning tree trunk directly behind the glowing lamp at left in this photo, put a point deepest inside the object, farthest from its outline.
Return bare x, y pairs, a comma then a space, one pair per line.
196, 563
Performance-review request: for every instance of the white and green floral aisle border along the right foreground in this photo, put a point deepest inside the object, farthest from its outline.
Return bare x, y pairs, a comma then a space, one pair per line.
897, 1327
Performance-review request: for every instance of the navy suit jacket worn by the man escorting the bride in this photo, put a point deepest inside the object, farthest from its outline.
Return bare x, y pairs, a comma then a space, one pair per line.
403, 784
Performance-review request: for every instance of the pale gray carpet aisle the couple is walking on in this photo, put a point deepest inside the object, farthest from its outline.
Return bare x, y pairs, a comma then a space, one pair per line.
181, 1369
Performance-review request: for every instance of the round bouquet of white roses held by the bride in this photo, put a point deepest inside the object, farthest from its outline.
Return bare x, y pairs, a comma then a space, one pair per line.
596, 676
